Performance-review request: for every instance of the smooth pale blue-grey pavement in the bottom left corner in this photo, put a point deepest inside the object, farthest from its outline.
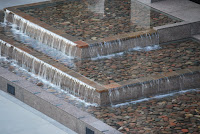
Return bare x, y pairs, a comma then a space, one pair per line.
18, 118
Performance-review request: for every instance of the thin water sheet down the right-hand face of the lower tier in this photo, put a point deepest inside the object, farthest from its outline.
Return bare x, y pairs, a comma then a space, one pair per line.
149, 88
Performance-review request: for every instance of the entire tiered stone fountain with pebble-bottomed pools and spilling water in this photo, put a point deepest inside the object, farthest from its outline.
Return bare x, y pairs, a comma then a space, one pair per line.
107, 54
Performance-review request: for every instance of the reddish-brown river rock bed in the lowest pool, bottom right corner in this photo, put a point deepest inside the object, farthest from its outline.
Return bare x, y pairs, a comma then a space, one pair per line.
176, 114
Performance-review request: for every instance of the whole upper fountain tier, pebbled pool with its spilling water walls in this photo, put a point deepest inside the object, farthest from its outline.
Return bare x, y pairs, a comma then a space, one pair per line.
87, 30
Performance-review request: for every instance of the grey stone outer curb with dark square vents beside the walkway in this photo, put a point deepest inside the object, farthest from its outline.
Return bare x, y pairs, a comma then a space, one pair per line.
53, 106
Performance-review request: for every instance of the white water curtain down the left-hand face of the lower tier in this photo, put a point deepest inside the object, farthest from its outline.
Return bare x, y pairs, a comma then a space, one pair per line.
47, 72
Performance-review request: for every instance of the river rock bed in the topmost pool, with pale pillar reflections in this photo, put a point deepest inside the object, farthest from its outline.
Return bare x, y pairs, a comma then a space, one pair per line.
93, 19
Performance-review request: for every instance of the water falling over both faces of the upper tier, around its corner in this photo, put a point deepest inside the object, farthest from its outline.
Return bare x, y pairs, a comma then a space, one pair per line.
145, 42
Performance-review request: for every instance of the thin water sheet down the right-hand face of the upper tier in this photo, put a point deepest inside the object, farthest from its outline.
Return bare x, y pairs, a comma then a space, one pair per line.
145, 42
